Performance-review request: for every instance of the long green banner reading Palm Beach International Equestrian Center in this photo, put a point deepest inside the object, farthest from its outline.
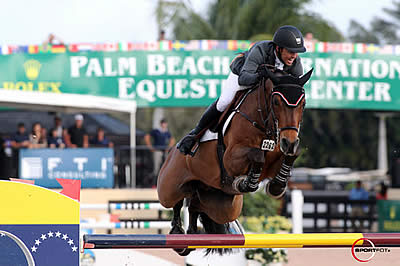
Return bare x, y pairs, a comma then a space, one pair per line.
341, 80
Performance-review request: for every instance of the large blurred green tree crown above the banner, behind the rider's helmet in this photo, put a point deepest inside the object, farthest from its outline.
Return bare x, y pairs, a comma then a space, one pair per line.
240, 19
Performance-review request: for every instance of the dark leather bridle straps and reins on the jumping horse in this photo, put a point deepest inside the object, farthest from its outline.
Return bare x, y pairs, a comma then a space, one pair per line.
271, 130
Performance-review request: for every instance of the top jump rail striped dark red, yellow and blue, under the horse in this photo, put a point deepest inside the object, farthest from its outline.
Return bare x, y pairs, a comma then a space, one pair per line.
310, 240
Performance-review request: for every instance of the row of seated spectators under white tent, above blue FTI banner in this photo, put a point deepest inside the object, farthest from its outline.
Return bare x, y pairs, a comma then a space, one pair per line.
58, 136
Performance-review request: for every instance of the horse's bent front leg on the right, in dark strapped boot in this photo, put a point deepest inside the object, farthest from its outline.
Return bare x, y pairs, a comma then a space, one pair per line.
276, 188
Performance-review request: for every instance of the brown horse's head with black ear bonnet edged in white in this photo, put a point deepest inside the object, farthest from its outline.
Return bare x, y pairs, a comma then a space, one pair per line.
287, 102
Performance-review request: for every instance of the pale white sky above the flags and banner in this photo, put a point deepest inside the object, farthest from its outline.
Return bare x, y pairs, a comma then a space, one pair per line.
96, 21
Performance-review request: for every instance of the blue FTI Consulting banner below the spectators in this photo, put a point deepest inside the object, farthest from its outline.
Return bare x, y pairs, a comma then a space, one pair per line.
93, 166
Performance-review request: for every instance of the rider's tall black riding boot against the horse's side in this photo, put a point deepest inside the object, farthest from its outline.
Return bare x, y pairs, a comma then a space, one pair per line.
211, 114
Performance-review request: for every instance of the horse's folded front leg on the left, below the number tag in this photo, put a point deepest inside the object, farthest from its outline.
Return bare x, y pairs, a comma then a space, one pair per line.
250, 182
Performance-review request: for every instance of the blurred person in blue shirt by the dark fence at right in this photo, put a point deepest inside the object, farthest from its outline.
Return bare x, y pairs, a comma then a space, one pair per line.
357, 209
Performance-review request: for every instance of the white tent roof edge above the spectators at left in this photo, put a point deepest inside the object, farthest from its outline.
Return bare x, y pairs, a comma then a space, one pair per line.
65, 102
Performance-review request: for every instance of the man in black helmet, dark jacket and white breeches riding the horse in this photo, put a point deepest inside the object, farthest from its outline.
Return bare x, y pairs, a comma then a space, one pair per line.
281, 53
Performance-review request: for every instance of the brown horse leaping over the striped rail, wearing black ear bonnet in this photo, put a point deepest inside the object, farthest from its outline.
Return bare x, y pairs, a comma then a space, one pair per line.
261, 142
